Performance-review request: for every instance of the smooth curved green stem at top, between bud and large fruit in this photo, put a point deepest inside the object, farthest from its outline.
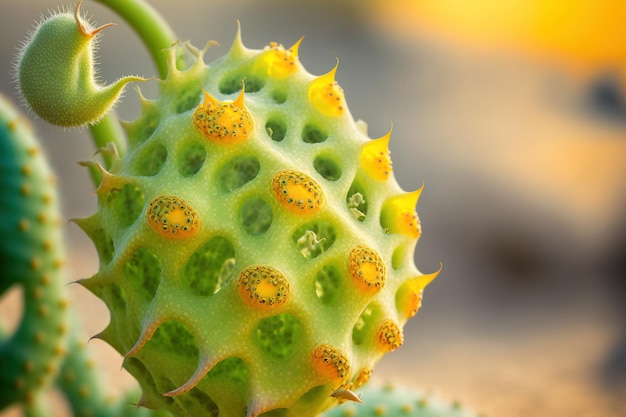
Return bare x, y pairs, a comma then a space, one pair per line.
153, 30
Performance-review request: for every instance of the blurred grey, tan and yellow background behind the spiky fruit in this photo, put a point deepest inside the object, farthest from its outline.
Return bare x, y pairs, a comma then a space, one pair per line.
513, 115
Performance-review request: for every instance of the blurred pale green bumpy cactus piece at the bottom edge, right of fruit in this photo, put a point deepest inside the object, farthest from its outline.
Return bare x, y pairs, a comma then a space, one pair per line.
390, 401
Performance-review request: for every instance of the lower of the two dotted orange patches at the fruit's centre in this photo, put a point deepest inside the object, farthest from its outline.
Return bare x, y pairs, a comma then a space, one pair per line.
263, 287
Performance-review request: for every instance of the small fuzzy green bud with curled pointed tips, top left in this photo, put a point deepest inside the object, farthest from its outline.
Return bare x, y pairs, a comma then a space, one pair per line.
56, 73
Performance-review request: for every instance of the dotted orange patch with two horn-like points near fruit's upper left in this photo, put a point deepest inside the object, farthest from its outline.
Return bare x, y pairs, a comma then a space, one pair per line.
225, 122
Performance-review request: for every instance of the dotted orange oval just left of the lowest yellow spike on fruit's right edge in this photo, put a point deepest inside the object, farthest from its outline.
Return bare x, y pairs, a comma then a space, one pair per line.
367, 269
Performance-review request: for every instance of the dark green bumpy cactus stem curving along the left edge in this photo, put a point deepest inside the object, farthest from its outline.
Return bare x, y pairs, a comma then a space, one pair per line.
32, 256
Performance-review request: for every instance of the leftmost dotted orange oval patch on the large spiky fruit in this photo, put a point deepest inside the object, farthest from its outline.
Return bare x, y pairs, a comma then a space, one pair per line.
172, 217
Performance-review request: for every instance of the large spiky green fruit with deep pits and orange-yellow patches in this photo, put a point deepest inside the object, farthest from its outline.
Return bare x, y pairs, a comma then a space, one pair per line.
256, 252
